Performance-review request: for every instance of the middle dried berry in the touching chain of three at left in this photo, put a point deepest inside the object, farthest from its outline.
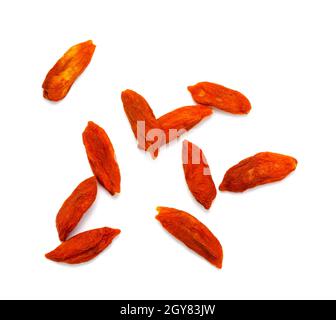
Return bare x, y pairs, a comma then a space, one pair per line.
75, 207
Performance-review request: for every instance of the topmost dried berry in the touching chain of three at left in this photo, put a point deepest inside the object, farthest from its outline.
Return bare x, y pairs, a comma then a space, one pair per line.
102, 159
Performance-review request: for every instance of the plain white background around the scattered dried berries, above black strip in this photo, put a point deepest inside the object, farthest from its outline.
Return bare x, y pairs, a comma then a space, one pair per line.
279, 240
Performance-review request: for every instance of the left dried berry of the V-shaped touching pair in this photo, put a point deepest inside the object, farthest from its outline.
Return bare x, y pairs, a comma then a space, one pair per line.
144, 124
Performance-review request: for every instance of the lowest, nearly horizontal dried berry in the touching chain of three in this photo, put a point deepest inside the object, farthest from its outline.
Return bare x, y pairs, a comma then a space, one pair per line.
83, 247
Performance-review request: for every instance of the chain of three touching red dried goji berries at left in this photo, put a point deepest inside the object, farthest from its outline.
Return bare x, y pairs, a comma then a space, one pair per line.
87, 245
